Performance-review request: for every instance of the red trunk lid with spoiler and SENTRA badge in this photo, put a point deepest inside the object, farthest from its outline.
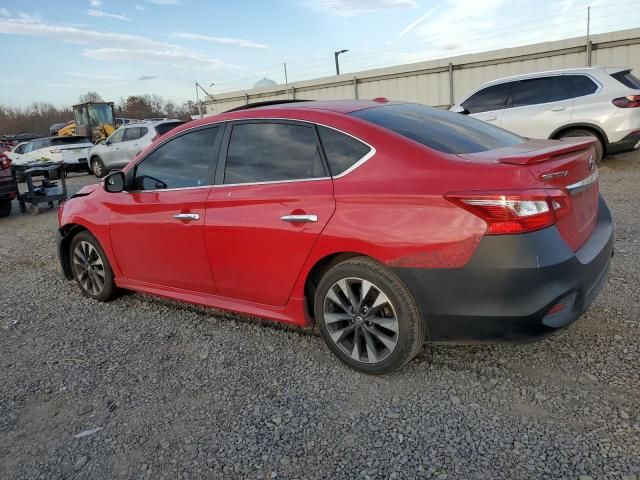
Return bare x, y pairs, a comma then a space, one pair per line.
569, 165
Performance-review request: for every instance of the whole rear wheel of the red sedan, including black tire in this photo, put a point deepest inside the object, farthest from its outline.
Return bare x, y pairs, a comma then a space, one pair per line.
402, 313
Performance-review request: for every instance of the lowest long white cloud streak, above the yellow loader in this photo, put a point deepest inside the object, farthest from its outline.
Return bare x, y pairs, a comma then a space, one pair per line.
177, 58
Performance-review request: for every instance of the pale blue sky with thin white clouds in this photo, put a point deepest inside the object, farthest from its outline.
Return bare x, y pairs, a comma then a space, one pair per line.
54, 51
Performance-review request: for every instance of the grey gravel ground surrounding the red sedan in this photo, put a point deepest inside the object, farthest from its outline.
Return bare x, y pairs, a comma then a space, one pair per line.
166, 390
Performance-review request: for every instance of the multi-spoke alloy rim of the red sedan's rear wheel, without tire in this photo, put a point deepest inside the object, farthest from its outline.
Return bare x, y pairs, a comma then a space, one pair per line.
361, 320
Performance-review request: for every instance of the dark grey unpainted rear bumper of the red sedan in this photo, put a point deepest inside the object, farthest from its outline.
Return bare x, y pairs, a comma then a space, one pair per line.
508, 287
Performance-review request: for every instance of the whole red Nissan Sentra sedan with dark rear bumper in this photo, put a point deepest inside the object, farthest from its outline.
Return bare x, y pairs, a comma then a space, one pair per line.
386, 224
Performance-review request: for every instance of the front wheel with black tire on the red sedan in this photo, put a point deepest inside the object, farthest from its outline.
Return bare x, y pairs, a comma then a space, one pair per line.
85, 279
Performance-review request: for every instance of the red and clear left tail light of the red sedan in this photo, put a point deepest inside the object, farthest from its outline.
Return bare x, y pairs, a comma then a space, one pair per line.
516, 211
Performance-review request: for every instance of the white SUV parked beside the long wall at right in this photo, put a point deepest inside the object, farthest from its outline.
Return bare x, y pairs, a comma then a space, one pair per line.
603, 103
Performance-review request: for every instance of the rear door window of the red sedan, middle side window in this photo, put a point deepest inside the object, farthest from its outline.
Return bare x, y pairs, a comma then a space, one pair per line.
268, 152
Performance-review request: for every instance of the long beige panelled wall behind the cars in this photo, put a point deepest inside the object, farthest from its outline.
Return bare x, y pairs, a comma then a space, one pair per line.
430, 82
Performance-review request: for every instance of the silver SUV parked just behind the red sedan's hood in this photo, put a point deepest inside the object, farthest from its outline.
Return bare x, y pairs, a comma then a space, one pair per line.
125, 143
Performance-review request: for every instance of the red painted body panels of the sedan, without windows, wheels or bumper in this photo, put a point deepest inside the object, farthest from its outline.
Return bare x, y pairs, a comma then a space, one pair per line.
240, 256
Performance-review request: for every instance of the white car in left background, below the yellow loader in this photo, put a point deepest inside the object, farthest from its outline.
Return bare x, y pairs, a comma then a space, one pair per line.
70, 151
